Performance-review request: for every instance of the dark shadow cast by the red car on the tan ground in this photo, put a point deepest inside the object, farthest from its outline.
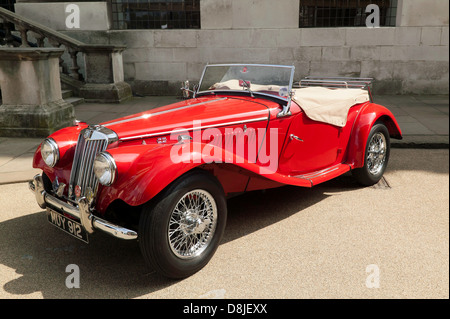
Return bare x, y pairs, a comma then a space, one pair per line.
111, 268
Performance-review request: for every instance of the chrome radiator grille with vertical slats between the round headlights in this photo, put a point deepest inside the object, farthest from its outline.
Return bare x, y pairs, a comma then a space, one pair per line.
91, 141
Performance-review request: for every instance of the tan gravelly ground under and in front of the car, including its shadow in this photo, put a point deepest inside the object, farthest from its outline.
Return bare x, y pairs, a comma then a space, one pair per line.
286, 243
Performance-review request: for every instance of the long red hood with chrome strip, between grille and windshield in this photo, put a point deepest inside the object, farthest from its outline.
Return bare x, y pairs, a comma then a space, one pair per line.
204, 112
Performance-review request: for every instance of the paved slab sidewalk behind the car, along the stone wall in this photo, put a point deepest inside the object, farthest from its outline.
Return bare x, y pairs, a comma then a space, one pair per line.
423, 119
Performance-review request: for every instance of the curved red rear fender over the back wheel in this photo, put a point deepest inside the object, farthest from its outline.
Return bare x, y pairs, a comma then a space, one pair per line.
368, 116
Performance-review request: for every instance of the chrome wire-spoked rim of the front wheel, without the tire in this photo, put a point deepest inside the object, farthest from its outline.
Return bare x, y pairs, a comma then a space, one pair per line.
192, 224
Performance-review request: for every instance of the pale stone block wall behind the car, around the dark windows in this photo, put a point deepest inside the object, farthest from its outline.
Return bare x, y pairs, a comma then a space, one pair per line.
410, 58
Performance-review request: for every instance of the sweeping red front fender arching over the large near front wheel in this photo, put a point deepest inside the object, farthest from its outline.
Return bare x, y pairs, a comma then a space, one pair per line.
145, 170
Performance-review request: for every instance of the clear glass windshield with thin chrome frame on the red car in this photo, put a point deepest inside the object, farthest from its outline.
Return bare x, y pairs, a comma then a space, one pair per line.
274, 80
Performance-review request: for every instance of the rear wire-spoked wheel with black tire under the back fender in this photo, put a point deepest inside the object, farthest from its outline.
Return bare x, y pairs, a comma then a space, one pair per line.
371, 174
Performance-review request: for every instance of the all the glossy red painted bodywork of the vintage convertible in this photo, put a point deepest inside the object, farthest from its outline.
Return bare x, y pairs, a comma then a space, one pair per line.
145, 167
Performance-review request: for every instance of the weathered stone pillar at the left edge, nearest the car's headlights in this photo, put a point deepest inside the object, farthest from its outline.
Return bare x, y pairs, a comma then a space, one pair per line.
32, 104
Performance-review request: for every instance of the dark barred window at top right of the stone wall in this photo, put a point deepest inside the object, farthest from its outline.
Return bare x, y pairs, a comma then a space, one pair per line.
344, 13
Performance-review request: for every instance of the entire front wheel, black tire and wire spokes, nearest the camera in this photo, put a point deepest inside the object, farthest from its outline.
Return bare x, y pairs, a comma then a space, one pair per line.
161, 251
